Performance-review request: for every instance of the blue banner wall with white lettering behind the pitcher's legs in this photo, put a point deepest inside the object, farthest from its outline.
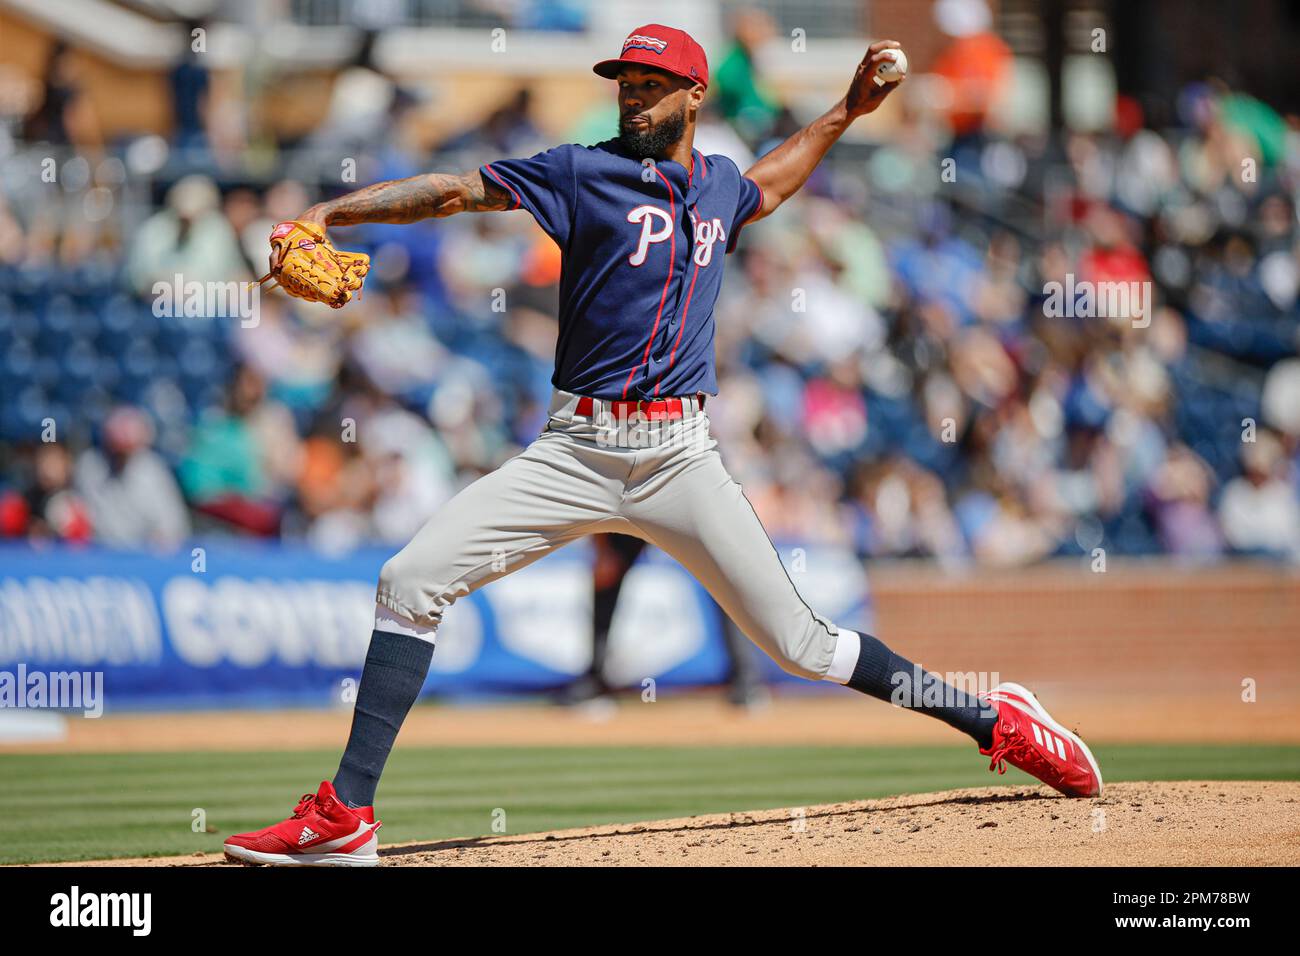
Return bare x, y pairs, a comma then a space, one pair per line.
248, 626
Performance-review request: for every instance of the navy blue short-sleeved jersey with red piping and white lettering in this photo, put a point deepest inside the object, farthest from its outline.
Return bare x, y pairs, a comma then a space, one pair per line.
643, 262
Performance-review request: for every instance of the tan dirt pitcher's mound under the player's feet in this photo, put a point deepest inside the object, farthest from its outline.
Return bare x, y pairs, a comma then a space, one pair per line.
1204, 824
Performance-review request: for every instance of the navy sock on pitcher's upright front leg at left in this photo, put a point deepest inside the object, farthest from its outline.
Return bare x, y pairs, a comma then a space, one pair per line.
396, 668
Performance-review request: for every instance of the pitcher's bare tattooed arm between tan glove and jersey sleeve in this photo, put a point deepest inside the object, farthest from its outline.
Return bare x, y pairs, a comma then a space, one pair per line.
422, 197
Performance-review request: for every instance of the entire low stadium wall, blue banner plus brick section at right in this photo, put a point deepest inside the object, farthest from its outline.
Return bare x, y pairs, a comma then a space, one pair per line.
272, 626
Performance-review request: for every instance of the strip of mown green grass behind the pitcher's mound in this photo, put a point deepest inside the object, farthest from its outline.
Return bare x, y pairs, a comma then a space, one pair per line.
85, 807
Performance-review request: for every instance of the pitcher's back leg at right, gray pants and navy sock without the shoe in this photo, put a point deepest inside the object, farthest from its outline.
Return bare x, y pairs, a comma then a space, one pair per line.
695, 512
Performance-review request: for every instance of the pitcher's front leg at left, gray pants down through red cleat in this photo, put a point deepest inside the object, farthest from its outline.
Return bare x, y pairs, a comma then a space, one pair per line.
554, 492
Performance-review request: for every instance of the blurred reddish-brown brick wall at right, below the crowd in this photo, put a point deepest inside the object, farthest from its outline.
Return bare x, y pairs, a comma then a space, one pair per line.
1133, 629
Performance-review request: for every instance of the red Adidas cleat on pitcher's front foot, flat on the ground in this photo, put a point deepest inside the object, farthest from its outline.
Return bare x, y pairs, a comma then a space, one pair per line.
322, 833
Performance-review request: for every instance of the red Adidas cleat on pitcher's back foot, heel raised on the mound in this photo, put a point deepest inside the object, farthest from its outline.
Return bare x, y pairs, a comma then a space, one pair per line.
1028, 738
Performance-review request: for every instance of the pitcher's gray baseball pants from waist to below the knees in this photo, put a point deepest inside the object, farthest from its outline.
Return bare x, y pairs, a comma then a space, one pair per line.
660, 481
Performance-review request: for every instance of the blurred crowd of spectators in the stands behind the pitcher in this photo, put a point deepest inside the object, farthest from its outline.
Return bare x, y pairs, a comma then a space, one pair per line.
894, 379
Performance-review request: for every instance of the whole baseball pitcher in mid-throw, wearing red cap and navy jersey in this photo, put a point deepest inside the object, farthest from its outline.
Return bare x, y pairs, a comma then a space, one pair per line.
645, 223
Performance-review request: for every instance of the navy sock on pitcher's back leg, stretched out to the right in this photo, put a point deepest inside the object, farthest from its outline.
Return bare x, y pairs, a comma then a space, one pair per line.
885, 676
